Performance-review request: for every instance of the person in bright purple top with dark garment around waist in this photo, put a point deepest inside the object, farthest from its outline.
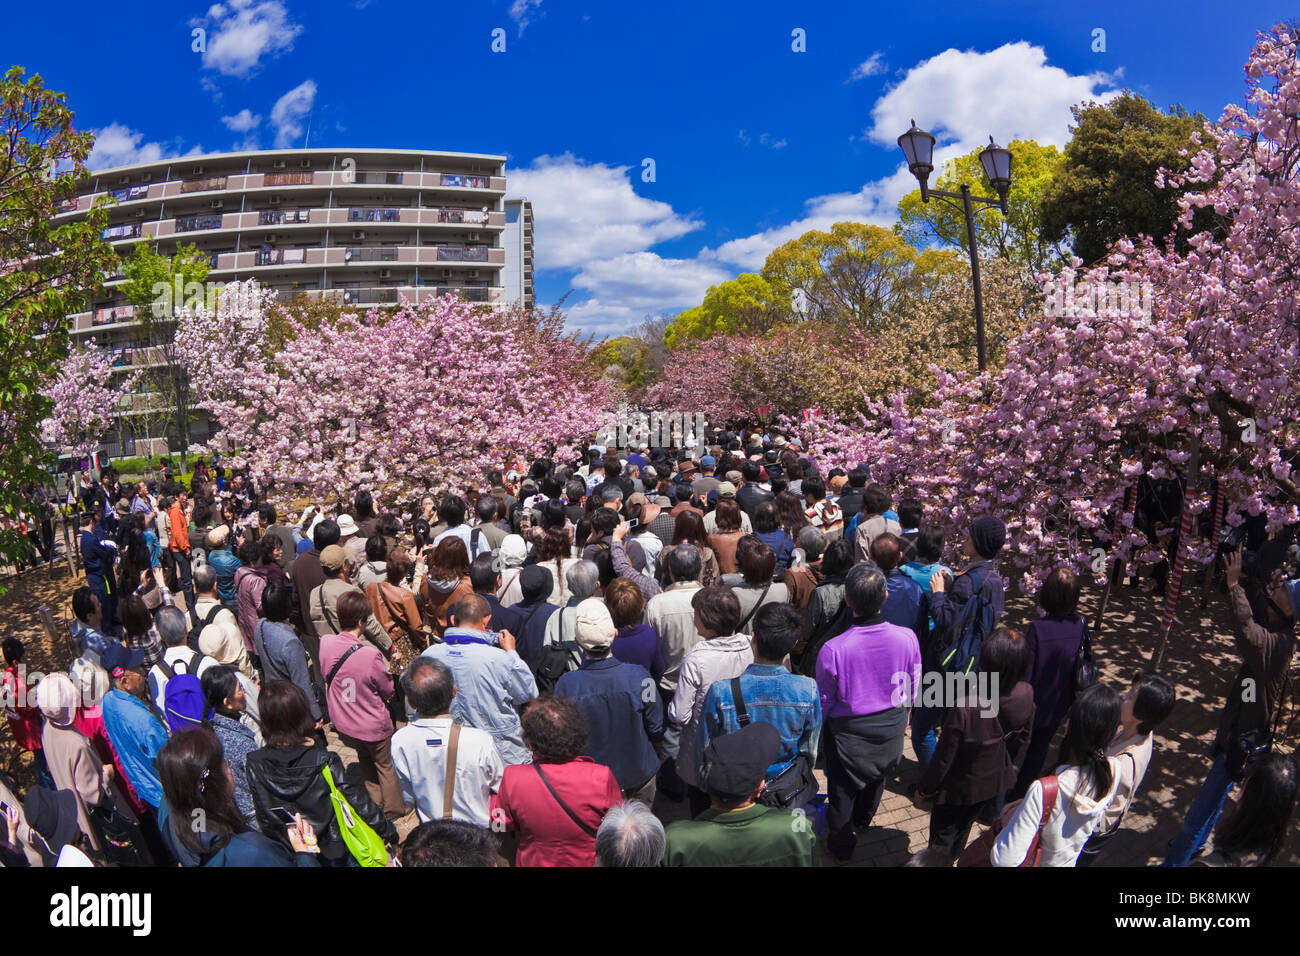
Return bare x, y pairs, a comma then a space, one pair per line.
865, 710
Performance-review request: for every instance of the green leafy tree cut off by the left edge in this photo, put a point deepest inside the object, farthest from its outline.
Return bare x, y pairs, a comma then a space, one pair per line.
51, 270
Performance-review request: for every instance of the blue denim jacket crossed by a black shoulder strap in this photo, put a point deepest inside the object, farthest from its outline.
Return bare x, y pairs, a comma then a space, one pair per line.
773, 695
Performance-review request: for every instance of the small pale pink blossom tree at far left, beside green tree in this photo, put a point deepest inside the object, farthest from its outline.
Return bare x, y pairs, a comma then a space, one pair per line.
85, 396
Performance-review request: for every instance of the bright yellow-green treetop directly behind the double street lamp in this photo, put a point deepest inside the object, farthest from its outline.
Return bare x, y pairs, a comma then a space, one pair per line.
1016, 237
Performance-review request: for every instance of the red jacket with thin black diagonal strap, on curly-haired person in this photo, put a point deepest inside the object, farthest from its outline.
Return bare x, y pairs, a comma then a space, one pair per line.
548, 837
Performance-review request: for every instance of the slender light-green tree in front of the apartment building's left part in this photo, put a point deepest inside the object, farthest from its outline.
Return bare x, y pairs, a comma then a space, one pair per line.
159, 287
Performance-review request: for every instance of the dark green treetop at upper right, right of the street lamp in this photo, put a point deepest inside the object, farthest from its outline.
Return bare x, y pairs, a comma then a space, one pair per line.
1106, 188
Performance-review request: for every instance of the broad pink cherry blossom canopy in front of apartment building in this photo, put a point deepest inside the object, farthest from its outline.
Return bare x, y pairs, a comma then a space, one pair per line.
430, 396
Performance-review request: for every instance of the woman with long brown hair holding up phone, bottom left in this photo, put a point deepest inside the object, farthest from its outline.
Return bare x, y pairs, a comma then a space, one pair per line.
198, 785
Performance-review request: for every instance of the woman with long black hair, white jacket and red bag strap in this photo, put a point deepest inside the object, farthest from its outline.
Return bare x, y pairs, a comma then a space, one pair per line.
1085, 788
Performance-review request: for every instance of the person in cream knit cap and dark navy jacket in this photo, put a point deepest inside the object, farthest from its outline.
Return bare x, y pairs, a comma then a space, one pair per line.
623, 721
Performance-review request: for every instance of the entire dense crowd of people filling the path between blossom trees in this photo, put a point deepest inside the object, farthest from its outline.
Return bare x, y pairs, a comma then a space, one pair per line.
631, 660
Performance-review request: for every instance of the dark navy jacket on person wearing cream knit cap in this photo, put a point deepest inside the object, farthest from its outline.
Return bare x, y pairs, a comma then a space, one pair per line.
625, 717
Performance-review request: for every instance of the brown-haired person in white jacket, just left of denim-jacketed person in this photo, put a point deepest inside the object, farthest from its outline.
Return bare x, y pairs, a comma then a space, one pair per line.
723, 654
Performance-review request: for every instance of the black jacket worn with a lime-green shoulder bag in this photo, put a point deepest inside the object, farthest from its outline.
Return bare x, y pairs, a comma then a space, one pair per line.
292, 778
